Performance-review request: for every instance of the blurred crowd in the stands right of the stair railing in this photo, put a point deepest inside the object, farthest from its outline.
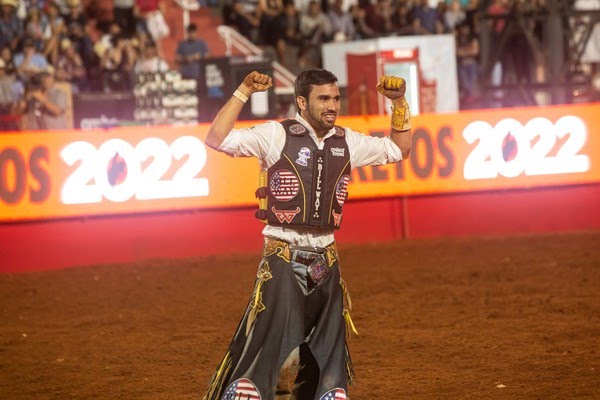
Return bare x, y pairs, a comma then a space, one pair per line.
300, 26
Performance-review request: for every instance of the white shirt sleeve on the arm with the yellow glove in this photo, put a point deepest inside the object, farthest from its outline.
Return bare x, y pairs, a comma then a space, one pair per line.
371, 150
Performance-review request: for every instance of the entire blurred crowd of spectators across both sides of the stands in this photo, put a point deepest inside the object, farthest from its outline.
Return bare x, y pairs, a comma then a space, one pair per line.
80, 44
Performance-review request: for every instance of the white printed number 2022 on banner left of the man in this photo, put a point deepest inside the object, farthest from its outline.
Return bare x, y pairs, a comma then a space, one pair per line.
114, 170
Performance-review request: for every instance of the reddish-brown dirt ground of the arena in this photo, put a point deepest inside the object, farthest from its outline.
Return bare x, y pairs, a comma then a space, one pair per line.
477, 318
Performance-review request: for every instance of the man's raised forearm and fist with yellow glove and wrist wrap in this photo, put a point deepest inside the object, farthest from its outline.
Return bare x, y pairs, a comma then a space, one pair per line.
394, 89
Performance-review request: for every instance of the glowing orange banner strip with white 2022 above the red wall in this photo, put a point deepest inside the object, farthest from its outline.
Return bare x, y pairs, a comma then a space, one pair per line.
140, 169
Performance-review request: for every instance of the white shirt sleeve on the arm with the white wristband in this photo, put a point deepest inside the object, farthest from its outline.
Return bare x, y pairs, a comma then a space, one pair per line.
263, 141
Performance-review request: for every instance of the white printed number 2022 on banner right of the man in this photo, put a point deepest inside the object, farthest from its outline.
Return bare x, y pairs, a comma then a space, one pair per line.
488, 159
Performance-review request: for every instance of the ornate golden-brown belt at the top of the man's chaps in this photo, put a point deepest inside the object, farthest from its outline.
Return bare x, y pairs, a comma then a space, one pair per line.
300, 254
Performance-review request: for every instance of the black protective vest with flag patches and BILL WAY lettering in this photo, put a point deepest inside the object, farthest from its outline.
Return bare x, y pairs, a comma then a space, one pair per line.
306, 186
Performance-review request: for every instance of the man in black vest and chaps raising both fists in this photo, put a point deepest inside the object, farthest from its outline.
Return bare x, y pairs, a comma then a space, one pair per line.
292, 338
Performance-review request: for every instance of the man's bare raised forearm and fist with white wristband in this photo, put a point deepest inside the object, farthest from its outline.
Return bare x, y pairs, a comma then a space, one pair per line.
228, 114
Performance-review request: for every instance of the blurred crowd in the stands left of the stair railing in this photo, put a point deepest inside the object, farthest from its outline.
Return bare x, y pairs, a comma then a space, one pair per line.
49, 48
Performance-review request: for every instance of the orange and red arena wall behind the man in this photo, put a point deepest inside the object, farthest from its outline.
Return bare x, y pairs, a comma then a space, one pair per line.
40, 230
